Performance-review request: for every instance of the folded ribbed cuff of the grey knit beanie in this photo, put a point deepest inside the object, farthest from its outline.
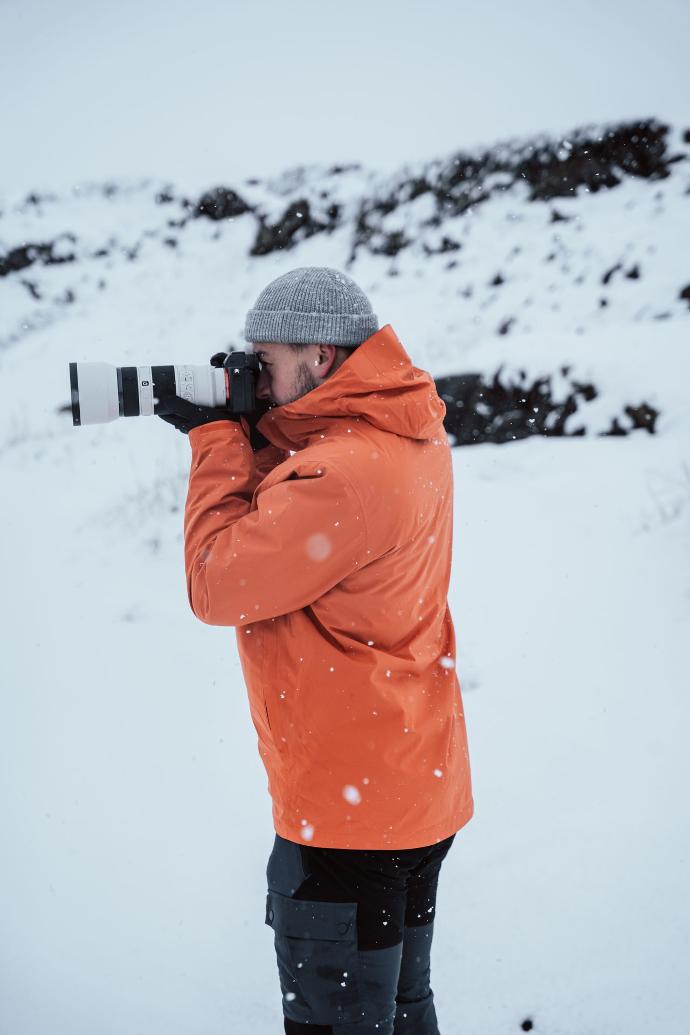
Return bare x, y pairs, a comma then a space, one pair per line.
288, 328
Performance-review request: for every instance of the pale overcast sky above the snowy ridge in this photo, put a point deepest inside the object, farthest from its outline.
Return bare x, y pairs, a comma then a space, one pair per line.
211, 92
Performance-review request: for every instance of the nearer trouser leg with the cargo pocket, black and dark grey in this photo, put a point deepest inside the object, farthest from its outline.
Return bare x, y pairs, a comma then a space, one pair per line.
338, 919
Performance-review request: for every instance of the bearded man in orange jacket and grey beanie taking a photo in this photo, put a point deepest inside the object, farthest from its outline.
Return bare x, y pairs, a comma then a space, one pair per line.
328, 548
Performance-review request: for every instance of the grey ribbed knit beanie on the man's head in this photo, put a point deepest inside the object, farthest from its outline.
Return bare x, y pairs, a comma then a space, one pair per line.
312, 306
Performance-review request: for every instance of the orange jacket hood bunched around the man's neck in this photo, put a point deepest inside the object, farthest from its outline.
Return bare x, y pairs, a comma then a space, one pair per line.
378, 383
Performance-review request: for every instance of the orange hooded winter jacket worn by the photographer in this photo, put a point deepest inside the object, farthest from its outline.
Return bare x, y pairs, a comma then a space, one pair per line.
334, 565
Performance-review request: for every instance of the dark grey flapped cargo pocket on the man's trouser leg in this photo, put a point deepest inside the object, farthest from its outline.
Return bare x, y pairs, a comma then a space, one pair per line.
316, 944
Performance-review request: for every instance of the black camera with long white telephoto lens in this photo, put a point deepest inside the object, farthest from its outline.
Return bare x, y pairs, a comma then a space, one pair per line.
102, 393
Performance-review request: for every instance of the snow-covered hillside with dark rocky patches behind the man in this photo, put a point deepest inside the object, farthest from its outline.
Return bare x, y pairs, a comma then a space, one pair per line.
557, 273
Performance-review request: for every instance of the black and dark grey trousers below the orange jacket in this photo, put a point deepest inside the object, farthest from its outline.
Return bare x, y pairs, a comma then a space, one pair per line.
353, 935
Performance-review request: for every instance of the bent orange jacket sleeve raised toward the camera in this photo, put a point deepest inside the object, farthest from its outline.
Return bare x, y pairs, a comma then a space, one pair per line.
246, 561
